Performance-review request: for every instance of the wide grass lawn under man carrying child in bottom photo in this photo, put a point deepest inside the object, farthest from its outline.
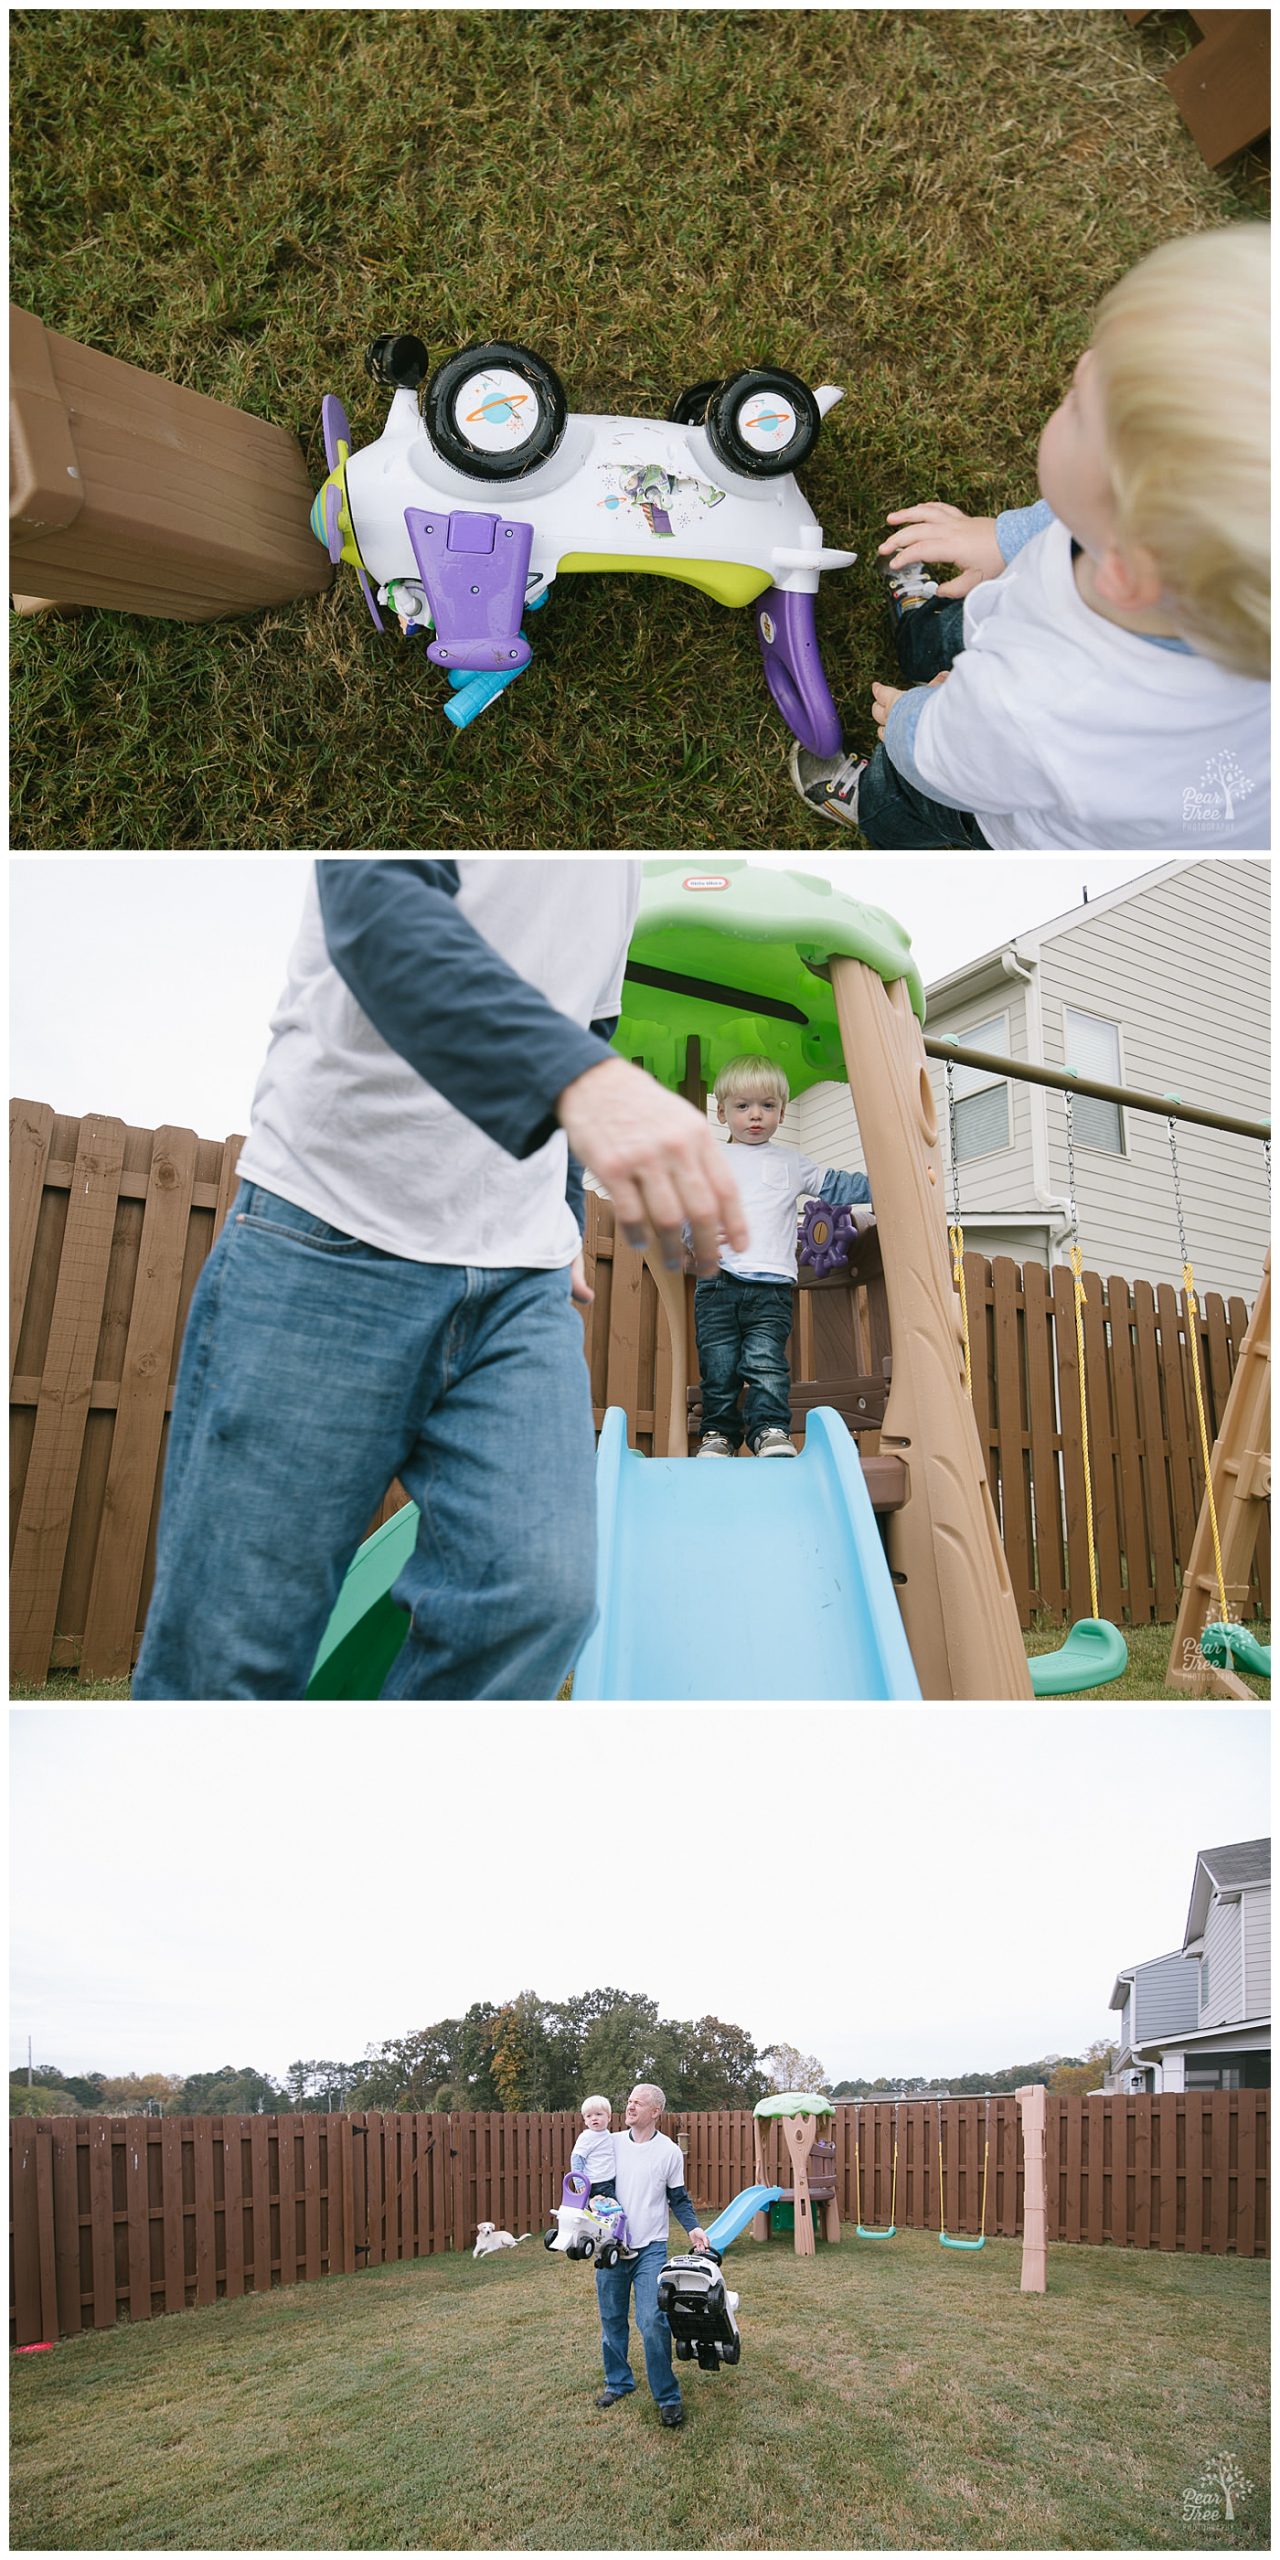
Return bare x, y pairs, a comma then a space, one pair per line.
890, 2397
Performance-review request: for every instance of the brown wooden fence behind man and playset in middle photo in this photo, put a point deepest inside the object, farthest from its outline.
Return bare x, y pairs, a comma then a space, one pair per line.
109, 1230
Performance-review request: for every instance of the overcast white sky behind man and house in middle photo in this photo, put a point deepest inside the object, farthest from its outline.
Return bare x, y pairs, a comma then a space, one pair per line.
168, 966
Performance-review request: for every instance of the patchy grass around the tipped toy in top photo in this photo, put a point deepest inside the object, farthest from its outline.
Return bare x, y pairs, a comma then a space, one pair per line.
918, 204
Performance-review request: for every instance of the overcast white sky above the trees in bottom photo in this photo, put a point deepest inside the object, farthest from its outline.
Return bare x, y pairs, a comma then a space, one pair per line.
892, 1891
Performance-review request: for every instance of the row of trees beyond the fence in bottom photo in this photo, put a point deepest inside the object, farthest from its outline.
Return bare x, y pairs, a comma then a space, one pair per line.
516, 2057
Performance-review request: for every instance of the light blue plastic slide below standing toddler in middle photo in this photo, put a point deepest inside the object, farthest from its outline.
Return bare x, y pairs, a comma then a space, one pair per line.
741, 1578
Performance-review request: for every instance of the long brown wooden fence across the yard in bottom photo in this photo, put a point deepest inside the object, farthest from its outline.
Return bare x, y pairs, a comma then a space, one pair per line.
124, 2218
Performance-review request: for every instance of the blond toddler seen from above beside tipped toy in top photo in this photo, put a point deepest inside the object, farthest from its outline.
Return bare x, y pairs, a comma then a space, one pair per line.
1105, 682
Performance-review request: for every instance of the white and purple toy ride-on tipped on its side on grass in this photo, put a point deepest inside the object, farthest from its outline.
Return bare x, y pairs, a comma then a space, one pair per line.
485, 488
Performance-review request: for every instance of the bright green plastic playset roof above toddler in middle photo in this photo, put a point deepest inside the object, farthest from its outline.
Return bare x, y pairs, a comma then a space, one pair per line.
736, 954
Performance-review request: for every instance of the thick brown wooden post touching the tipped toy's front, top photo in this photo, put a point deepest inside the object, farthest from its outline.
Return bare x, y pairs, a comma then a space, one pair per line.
147, 498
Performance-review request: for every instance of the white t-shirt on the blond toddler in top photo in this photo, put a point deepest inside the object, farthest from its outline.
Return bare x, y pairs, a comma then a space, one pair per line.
1059, 731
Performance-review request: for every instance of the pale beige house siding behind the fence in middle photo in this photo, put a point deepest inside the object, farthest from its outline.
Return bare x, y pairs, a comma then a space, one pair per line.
1184, 969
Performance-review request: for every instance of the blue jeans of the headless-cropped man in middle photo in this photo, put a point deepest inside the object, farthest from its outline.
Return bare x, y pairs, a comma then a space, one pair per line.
319, 1368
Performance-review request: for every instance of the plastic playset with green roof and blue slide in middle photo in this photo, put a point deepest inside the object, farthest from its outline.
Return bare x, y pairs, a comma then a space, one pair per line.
884, 1535
